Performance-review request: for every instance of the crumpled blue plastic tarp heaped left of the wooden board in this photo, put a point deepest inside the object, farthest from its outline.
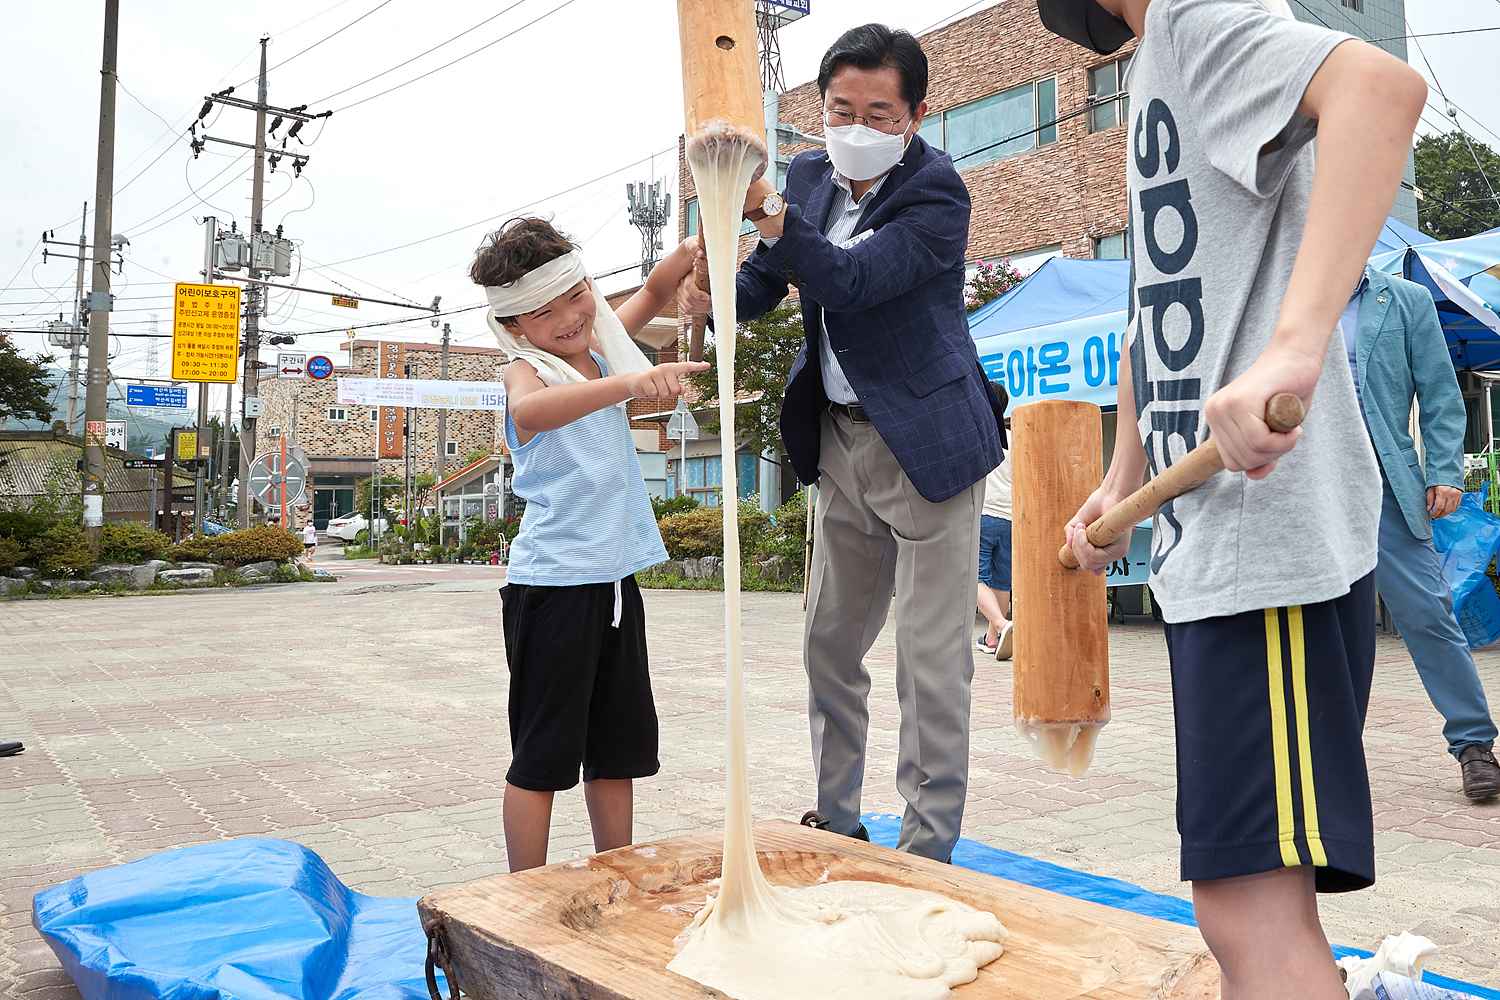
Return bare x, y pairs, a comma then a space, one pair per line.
242, 920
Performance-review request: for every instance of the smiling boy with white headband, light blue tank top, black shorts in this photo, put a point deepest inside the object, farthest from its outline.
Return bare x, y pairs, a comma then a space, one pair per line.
572, 614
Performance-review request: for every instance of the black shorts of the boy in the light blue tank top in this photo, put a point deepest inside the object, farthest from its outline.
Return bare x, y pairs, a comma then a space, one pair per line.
580, 686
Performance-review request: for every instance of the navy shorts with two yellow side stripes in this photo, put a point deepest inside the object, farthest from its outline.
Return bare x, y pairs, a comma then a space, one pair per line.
1271, 759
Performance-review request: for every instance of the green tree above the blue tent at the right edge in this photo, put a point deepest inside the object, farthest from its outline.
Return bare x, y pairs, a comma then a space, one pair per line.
1457, 200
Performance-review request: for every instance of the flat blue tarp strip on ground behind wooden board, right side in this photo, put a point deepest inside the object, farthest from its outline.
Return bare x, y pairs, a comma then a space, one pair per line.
1081, 885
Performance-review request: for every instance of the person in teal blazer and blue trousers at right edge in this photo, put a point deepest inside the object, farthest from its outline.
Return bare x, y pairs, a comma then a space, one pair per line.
1397, 353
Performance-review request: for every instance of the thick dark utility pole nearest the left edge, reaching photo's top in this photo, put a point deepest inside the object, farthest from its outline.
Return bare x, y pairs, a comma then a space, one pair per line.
97, 407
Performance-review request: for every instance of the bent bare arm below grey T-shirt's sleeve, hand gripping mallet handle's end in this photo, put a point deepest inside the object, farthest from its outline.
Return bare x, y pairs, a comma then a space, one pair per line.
1367, 106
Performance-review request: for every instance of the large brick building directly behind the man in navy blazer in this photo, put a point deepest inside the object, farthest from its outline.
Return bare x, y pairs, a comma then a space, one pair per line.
1037, 130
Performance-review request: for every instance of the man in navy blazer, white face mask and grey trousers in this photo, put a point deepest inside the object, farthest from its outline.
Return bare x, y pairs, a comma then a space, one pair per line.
887, 410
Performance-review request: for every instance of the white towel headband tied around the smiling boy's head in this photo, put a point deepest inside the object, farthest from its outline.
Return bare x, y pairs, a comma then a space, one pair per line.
533, 292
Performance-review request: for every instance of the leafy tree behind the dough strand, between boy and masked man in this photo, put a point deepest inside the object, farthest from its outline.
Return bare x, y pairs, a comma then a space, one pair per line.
764, 355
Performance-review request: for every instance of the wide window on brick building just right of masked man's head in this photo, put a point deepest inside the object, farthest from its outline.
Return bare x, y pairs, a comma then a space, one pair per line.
992, 128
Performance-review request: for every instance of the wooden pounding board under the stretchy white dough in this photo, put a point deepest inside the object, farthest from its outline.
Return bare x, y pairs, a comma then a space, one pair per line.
605, 926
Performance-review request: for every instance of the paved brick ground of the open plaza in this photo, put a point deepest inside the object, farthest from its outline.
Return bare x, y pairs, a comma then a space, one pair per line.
367, 720
